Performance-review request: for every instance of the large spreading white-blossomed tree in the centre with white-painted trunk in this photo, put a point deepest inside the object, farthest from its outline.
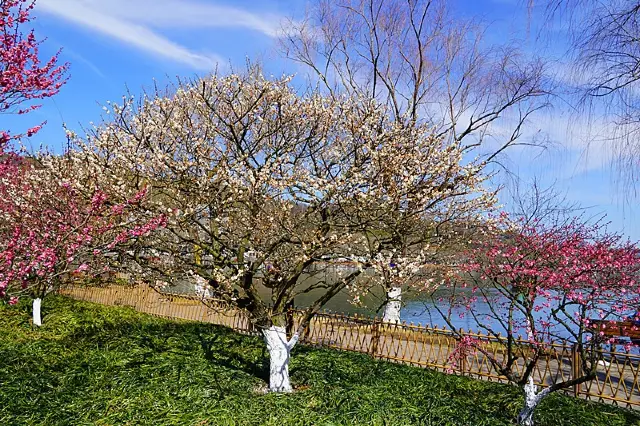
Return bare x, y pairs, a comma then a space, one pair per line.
260, 184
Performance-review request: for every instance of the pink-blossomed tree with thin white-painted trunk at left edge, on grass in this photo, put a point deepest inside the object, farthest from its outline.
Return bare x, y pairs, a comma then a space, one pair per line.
49, 230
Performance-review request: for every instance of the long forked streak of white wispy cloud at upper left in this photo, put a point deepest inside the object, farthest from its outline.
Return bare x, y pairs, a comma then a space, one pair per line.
138, 23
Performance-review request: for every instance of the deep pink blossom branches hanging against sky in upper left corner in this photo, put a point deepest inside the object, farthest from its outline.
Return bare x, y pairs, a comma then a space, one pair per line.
23, 77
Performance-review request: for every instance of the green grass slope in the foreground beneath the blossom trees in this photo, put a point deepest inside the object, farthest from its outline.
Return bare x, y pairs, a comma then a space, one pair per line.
99, 365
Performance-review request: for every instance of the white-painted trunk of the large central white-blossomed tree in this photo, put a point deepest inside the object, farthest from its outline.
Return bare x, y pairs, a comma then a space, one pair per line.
279, 354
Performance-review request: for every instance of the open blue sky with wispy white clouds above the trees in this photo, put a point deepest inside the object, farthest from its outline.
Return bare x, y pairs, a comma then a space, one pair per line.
115, 44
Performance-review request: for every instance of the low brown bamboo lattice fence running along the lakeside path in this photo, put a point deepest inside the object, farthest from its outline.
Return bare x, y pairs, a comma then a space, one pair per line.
617, 379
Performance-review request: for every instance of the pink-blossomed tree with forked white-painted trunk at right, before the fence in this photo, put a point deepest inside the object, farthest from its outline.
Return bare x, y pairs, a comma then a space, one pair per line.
535, 283
